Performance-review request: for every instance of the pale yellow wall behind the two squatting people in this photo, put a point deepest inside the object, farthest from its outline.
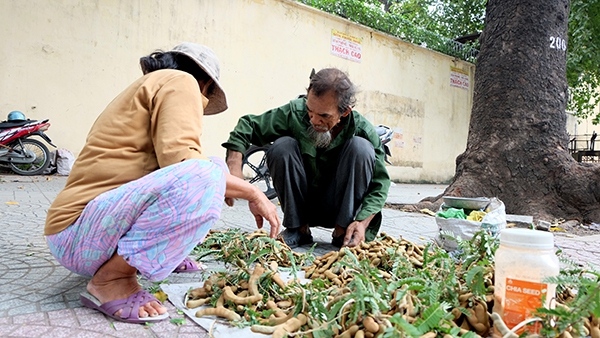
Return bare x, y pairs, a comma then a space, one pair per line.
66, 59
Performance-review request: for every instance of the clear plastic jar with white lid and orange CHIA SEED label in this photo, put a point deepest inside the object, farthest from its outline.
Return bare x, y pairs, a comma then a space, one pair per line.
523, 260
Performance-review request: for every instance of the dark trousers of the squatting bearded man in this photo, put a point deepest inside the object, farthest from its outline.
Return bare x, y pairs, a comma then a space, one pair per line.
337, 200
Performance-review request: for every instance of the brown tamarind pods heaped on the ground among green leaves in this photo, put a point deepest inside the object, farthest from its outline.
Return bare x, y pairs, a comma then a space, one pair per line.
237, 298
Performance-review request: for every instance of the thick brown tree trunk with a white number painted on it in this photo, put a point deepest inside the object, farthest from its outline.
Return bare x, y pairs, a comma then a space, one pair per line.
517, 143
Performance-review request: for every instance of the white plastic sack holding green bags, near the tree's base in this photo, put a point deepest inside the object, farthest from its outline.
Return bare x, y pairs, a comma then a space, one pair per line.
450, 228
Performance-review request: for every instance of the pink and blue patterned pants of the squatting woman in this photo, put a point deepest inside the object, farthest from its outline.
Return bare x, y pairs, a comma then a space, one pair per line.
153, 222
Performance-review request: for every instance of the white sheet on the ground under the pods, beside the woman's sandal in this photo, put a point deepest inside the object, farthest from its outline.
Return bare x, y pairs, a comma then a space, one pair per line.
220, 327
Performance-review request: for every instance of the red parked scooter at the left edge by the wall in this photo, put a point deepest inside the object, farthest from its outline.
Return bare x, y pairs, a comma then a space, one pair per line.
25, 156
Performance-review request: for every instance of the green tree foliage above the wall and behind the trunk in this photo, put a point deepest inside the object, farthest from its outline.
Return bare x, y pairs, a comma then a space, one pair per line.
434, 23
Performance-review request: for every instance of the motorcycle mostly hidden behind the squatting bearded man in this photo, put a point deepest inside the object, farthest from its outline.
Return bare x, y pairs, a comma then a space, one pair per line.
254, 163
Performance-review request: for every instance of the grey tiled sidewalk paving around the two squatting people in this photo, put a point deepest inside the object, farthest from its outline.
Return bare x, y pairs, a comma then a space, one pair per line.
41, 298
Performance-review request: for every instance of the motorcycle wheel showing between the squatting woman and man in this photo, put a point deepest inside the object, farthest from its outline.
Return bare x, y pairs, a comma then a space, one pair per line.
255, 167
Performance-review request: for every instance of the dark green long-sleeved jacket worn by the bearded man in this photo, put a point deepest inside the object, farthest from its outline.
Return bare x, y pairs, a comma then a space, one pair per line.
292, 120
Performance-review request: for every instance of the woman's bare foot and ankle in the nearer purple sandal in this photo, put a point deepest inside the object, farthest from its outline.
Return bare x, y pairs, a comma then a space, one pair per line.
117, 280
